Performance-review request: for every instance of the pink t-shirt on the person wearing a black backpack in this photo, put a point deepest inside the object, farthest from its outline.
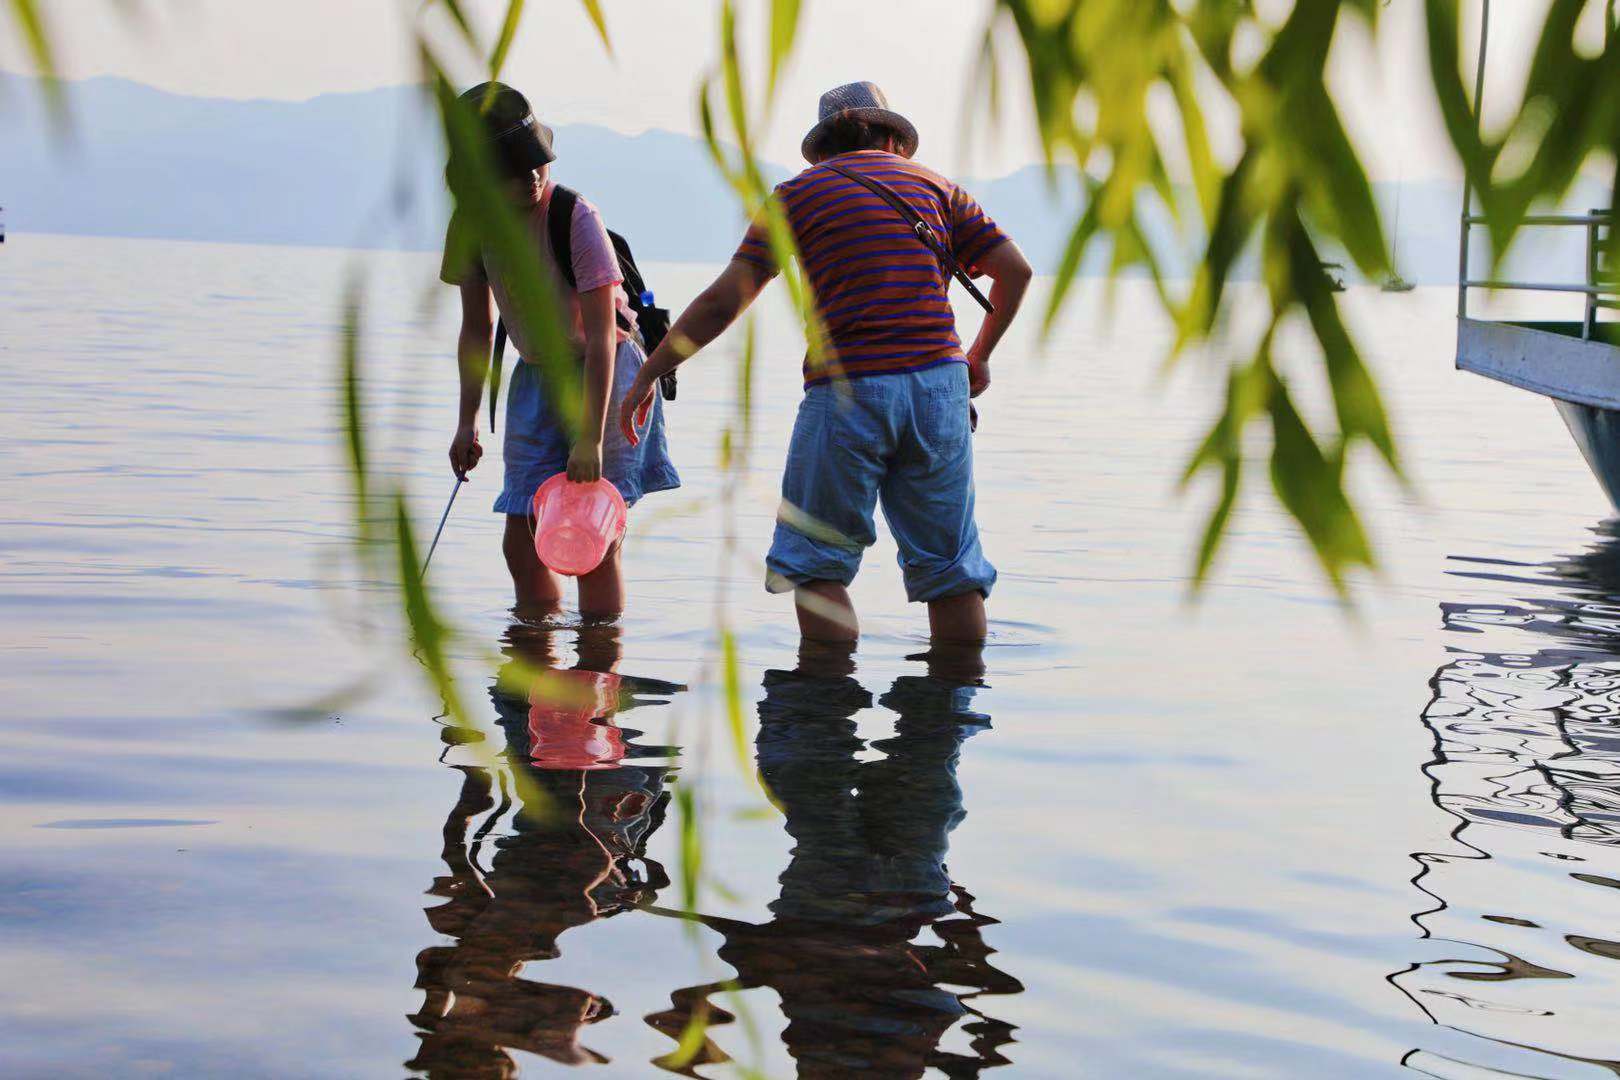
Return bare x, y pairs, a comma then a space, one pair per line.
595, 266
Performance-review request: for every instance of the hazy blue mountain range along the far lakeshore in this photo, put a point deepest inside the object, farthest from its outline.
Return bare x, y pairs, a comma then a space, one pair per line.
365, 171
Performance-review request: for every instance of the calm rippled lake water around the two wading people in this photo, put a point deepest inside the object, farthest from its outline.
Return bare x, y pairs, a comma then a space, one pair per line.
1251, 836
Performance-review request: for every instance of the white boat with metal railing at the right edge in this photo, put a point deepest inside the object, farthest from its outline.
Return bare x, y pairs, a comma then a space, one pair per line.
1575, 364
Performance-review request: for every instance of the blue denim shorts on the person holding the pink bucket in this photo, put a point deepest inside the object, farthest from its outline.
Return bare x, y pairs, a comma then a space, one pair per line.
537, 444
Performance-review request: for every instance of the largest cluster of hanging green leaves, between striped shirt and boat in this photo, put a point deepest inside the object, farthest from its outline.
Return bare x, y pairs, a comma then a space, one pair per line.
1093, 69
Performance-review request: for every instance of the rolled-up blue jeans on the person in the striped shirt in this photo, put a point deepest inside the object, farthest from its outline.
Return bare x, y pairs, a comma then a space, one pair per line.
902, 440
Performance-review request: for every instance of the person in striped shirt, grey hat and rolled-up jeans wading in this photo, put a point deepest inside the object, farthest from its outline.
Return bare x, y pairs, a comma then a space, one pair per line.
887, 417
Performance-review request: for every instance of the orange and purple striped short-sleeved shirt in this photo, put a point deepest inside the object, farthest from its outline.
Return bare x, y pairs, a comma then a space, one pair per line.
882, 294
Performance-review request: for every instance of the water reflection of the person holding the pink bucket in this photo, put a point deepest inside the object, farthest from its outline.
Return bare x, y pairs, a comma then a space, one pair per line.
573, 853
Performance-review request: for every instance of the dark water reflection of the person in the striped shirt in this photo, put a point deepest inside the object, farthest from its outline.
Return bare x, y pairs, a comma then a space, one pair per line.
868, 877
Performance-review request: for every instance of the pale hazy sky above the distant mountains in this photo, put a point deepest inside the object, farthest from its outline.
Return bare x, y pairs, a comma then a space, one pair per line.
923, 53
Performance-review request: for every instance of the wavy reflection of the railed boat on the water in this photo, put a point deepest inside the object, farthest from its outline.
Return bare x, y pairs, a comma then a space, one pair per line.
1528, 762
